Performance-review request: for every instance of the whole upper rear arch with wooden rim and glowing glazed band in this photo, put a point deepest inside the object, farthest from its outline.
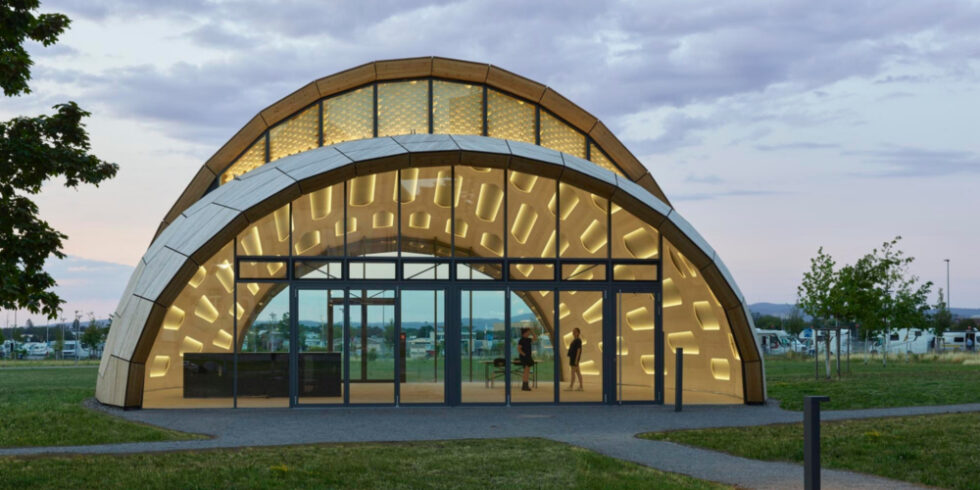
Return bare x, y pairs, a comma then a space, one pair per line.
393, 97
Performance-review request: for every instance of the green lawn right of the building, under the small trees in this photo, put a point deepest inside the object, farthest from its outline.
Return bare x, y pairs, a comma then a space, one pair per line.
919, 382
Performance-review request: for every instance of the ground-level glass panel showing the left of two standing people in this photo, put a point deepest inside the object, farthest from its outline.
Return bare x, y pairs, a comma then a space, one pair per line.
532, 334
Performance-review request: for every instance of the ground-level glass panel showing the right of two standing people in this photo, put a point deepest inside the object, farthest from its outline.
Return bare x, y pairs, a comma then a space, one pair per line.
581, 310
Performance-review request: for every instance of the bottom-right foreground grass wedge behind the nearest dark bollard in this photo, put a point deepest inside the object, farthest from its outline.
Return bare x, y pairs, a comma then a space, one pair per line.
938, 450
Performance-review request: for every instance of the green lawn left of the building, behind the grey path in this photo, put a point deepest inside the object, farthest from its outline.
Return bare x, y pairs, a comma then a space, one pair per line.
41, 407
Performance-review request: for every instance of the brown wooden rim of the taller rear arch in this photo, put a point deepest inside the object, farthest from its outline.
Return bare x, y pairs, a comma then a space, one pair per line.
442, 68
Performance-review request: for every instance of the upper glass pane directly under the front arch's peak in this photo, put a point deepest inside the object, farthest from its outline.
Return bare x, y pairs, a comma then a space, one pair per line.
426, 197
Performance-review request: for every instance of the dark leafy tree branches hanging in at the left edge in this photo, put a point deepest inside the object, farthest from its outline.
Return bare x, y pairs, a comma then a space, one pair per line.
34, 150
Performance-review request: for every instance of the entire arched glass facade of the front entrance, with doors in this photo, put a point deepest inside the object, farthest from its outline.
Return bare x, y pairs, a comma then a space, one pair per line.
416, 285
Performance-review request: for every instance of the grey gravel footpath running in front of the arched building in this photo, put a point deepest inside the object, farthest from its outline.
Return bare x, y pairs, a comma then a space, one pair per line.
608, 430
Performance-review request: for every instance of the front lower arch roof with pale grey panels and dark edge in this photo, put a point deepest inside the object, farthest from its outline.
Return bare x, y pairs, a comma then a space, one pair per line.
203, 228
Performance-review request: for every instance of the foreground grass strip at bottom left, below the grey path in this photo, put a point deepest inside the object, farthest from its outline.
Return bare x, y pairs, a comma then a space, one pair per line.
497, 463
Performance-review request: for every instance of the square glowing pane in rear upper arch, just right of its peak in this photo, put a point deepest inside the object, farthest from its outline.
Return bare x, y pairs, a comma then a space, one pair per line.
457, 108
